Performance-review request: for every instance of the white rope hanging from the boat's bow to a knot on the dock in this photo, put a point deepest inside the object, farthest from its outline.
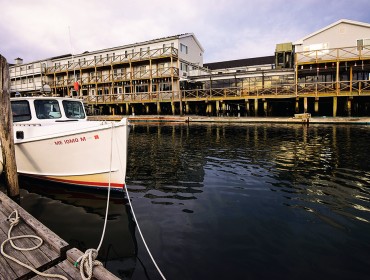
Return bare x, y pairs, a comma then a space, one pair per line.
87, 260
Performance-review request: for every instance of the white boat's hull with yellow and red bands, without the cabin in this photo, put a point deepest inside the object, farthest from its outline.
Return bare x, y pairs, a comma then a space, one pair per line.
93, 155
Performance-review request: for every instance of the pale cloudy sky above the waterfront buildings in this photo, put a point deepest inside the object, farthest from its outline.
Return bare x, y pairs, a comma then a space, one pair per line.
227, 29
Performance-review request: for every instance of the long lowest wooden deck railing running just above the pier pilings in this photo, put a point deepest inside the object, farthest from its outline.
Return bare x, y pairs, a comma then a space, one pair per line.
326, 89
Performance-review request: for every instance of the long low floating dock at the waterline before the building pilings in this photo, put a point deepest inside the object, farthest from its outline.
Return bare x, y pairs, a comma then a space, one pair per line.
197, 119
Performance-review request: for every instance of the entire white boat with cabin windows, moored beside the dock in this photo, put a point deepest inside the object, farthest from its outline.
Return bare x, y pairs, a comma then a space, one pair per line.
55, 141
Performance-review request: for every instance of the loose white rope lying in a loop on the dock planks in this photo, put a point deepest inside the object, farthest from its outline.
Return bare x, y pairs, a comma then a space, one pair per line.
13, 222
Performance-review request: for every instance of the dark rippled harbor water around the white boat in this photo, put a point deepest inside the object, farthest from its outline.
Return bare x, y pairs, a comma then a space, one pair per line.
227, 201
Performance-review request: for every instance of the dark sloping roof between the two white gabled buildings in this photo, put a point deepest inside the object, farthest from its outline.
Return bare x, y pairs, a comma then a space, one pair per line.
241, 62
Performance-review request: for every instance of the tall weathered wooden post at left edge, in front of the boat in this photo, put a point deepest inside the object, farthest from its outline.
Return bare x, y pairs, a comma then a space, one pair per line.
6, 132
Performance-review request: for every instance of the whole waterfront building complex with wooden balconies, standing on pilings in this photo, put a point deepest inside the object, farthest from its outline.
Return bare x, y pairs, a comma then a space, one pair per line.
324, 73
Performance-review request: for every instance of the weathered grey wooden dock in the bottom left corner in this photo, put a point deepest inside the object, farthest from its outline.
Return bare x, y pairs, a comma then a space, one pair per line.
54, 256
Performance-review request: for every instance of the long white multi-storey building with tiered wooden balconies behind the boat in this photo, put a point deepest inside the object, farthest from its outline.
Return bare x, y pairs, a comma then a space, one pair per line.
150, 66
